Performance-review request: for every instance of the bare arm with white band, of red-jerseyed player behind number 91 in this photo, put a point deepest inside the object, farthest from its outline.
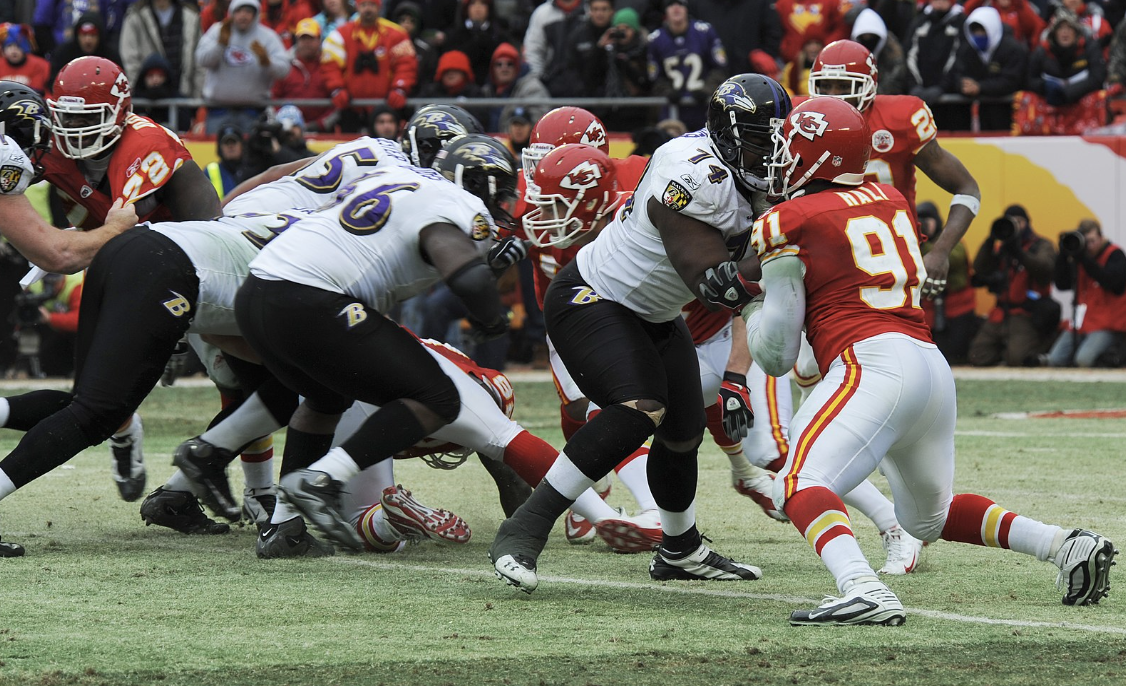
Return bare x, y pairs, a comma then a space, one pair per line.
951, 175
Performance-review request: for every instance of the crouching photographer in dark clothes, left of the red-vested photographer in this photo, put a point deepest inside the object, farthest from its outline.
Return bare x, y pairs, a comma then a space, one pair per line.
1015, 264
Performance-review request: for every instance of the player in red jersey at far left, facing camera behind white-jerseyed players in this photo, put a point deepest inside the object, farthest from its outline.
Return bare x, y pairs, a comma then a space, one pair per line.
103, 154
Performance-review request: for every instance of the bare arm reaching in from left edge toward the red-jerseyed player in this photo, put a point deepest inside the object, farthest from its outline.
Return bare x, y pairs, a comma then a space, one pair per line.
52, 250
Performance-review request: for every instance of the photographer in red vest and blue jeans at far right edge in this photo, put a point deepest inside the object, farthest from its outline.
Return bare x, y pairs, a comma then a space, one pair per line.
1095, 271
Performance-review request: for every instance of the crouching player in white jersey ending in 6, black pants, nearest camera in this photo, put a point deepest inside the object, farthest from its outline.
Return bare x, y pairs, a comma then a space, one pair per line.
312, 311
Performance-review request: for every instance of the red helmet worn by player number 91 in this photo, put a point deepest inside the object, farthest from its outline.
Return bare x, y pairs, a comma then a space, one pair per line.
821, 139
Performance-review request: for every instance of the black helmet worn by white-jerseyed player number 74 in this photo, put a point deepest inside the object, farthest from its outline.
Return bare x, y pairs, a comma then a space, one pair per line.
743, 115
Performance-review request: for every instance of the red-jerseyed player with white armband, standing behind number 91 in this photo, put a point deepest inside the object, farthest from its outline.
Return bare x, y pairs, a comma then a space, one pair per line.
904, 138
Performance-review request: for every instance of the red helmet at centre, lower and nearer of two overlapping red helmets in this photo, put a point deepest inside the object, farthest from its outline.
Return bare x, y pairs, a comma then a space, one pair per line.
574, 189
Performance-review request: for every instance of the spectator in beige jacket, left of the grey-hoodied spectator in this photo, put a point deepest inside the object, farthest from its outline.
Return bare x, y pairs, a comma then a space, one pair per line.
169, 29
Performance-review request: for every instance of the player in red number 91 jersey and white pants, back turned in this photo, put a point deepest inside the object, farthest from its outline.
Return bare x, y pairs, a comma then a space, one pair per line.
888, 399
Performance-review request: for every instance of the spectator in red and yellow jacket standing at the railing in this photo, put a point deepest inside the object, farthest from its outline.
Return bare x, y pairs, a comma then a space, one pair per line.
370, 58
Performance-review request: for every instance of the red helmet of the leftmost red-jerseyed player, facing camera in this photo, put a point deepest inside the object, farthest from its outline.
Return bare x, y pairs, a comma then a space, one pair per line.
90, 104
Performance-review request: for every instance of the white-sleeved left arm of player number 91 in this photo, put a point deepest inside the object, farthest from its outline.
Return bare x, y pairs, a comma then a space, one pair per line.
774, 332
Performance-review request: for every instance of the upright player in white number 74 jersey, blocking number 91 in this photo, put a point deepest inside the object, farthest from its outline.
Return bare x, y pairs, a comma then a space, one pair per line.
614, 316
